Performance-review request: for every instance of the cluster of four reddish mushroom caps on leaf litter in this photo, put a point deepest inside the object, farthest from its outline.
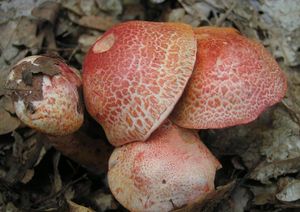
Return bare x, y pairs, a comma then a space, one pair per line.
151, 86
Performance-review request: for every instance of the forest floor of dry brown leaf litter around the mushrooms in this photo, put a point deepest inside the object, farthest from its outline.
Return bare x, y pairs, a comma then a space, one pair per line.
261, 160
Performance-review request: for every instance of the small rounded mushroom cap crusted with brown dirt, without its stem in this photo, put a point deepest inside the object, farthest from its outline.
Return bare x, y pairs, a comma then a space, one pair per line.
49, 100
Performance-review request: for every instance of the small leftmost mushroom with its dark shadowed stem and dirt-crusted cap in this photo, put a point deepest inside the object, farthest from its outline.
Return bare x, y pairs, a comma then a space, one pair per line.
46, 95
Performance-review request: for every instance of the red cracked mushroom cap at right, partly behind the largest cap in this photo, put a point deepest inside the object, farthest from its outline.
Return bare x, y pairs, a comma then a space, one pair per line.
234, 80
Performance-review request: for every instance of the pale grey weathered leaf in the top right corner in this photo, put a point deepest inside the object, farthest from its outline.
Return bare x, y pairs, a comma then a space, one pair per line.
283, 24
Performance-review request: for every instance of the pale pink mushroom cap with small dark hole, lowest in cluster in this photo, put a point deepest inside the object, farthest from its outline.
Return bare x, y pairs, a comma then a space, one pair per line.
172, 168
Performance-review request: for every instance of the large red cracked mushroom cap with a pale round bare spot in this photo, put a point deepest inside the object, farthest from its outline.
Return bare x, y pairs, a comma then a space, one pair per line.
134, 74
